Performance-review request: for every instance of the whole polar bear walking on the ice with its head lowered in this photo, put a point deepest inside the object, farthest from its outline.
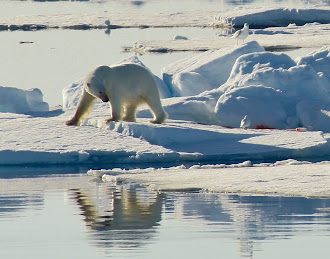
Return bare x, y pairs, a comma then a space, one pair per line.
125, 86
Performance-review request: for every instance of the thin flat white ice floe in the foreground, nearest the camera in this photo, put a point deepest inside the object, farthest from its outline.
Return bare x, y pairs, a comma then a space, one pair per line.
285, 177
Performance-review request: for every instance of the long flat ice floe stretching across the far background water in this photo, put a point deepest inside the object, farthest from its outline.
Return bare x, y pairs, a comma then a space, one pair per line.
237, 17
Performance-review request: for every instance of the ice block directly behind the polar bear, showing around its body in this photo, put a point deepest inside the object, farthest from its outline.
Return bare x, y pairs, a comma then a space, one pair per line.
71, 93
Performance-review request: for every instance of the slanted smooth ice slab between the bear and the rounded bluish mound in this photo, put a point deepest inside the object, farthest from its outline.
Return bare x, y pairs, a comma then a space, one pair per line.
204, 71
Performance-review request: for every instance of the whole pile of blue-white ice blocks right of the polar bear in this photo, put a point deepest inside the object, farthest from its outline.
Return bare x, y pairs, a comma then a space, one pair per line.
271, 89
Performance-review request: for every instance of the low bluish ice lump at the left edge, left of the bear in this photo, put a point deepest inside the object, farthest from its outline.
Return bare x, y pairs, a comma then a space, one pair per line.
22, 101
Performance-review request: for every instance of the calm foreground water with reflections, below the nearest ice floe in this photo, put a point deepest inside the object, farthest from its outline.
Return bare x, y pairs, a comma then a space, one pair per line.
74, 216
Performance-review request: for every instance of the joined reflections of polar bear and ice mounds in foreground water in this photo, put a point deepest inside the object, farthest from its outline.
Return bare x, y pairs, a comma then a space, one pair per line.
130, 217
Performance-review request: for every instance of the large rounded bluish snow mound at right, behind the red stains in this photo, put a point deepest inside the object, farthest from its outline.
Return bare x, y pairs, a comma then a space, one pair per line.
274, 92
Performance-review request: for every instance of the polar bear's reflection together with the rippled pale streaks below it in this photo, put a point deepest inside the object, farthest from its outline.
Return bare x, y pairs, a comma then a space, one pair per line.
120, 215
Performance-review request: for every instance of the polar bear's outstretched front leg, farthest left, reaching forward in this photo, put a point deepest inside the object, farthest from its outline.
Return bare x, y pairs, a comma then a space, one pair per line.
85, 104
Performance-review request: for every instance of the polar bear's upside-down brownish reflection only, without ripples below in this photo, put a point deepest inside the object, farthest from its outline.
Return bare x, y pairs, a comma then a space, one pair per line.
121, 207
